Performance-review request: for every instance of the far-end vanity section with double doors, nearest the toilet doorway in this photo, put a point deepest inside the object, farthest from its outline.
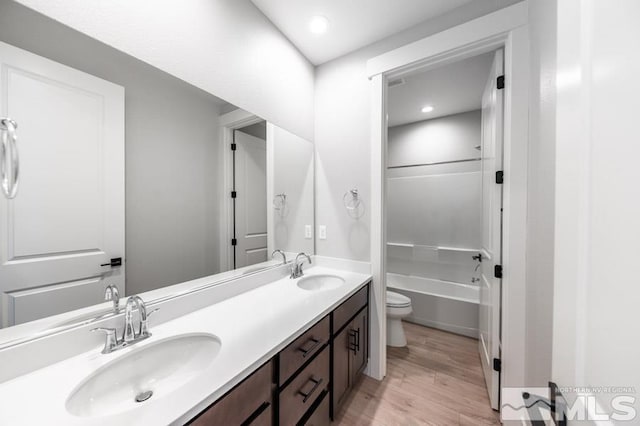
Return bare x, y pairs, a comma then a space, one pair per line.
350, 345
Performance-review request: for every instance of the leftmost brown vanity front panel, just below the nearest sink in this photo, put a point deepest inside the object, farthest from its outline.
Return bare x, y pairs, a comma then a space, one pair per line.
236, 407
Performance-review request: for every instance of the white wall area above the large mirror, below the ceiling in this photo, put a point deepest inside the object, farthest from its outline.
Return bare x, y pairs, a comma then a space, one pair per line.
227, 48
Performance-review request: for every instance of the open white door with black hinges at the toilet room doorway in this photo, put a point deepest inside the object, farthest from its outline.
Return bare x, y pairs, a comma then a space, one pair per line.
489, 321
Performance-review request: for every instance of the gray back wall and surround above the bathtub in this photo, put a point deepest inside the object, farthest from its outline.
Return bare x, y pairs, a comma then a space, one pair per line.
436, 205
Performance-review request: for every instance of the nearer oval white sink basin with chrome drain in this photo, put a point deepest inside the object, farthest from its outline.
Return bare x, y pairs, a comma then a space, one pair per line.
160, 368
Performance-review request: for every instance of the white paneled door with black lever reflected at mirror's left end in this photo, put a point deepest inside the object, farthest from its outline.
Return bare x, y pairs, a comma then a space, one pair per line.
68, 216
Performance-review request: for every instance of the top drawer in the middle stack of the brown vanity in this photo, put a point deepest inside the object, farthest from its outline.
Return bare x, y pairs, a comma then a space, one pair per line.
303, 349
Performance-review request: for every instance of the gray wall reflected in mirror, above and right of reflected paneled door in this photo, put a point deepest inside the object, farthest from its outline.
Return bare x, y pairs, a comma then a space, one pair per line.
171, 161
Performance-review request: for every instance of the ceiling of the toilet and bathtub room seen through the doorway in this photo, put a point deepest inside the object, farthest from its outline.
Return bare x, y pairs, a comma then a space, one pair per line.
450, 89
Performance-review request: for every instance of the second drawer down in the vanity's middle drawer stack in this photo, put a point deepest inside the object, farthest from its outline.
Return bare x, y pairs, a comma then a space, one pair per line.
303, 391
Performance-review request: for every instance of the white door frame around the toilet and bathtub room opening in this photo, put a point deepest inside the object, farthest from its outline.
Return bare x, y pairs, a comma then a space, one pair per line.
508, 29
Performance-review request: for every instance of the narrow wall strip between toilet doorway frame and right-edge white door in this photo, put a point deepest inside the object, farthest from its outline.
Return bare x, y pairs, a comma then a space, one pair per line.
541, 181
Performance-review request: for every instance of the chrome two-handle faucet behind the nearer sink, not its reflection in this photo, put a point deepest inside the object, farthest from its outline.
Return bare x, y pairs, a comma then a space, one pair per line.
129, 335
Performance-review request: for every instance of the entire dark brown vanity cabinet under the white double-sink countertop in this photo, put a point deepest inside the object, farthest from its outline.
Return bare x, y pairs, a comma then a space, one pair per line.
308, 380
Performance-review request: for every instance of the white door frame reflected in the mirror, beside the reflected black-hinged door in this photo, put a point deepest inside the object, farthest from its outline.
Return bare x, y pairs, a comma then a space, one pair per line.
229, 122
